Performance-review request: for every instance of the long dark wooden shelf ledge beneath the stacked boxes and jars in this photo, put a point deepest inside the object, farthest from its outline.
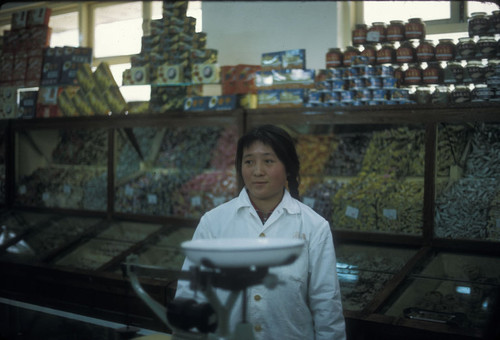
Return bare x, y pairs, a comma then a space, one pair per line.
381, 114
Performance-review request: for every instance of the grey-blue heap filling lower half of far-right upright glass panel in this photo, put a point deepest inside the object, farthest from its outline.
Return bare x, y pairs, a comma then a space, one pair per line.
462, 209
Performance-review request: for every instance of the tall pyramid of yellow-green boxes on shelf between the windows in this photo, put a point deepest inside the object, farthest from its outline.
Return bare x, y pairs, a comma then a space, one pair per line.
172, 58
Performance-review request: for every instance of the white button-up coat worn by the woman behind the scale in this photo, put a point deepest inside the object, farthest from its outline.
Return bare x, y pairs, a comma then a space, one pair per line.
308, 305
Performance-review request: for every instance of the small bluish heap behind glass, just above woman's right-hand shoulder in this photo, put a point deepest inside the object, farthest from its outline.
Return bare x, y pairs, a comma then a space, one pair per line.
320, 197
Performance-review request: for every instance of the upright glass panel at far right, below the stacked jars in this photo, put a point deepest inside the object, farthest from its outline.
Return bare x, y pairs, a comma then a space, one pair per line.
468, 187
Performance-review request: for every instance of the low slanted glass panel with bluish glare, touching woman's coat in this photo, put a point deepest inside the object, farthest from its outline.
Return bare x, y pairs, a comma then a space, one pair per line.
363, 271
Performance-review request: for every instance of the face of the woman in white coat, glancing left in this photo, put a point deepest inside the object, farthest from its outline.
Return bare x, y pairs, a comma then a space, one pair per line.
264, 174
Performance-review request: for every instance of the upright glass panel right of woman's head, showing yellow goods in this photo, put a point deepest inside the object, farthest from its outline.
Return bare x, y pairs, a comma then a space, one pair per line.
366, 178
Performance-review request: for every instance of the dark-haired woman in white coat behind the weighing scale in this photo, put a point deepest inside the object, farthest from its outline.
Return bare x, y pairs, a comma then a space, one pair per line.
308, 305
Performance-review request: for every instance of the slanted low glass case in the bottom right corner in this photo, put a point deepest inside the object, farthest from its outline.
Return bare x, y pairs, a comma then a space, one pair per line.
454, 289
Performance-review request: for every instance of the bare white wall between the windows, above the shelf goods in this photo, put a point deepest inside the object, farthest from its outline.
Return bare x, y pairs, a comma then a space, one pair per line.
241, 31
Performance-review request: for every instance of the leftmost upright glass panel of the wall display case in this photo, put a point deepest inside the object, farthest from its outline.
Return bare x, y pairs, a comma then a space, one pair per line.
64, 168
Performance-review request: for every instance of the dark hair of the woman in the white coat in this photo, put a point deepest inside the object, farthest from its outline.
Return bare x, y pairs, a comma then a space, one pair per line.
283, 146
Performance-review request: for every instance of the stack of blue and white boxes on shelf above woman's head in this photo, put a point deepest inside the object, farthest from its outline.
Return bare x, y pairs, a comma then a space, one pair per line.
284, 81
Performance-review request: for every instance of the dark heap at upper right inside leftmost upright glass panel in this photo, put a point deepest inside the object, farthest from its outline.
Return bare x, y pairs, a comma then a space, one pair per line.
81, 147
